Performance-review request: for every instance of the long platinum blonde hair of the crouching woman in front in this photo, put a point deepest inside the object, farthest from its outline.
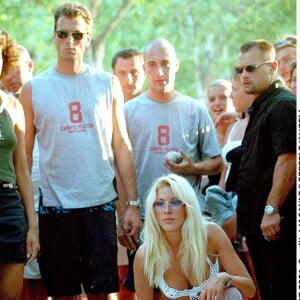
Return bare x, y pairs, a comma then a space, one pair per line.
193, 247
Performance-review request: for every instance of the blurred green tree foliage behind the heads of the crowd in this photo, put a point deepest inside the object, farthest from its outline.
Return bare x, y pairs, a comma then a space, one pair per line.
206, 34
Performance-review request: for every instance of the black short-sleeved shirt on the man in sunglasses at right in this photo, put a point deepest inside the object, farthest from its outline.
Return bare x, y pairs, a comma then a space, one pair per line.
271, 131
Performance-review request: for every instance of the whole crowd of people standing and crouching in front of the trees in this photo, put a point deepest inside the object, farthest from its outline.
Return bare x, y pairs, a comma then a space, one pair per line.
84, 173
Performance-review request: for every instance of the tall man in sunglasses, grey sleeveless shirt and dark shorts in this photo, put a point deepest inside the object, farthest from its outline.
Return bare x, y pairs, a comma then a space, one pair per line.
77, 114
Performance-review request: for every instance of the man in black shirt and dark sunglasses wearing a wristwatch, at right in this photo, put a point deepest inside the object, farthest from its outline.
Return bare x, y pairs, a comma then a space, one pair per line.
266, 209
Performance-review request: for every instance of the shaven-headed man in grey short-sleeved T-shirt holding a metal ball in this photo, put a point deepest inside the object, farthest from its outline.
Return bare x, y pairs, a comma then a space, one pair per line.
162, 120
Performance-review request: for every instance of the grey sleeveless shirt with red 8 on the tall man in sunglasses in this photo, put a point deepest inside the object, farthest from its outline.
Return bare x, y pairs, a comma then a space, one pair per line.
73, 120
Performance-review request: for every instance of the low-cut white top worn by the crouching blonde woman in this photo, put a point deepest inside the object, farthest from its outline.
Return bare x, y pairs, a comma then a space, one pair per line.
193, 292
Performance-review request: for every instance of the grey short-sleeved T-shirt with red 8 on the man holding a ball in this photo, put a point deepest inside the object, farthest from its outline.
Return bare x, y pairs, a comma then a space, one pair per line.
156, 128
